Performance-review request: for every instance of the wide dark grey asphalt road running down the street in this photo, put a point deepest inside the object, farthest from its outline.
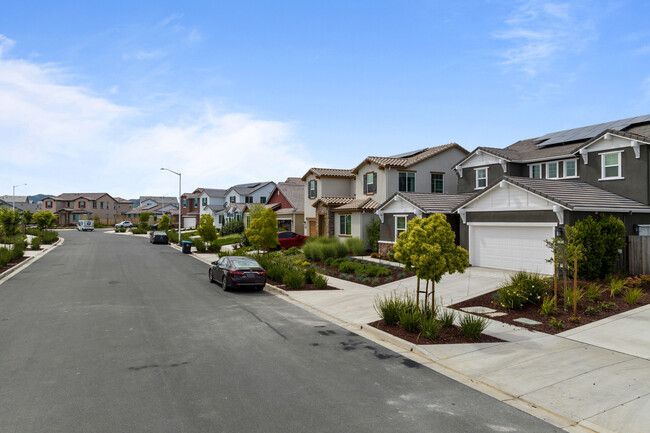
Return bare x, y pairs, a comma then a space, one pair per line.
109, 333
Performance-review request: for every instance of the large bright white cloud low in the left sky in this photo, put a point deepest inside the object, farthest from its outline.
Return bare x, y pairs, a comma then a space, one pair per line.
62, 138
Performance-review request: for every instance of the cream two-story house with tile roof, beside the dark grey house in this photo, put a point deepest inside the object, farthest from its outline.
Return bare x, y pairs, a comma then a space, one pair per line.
372, 182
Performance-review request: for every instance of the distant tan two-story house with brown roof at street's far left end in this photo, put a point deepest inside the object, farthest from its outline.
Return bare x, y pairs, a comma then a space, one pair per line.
72, 207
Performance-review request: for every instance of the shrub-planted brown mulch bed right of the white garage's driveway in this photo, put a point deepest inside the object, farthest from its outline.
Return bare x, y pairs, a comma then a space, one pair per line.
530, 311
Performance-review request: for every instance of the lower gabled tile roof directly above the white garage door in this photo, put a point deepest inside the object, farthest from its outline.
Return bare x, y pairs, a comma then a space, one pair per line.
575, 196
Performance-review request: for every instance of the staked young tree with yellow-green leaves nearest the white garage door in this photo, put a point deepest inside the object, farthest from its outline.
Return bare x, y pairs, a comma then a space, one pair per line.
428, 247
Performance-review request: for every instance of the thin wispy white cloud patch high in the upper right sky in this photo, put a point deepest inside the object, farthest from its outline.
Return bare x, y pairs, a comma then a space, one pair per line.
540, 31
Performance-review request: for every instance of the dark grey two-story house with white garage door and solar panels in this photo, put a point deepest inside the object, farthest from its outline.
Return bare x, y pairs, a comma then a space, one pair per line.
527, 192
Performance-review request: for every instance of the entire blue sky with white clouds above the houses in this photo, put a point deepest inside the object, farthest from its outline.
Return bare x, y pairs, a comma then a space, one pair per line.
97, 97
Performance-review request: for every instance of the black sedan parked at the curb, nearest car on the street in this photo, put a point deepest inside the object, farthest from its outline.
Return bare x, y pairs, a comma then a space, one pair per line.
237, 271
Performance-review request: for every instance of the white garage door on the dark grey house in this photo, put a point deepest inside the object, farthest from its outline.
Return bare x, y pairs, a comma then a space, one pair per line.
515, 247
